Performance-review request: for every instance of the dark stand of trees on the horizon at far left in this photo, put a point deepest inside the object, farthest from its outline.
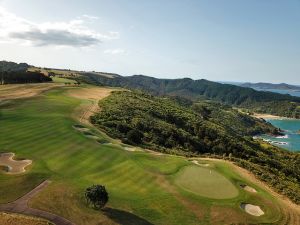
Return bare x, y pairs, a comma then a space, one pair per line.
13, 73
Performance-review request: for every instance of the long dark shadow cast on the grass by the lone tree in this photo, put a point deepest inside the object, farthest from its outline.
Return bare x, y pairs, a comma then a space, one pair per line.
124, 218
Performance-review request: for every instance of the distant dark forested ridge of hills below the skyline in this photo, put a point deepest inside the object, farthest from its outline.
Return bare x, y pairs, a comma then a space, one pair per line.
247, 98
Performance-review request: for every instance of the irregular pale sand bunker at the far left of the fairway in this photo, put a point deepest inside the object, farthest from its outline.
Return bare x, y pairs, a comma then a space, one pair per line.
11, 166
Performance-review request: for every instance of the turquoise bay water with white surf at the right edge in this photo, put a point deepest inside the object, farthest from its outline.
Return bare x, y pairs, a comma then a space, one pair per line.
291, 138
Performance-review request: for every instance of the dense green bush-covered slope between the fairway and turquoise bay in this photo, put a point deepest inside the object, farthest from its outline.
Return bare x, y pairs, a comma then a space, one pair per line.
178, 126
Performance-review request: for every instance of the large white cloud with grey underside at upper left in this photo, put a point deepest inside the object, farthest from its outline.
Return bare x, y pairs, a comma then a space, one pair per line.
72, 33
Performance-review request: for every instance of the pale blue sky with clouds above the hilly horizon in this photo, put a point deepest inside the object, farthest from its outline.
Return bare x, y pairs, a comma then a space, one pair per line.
220, 40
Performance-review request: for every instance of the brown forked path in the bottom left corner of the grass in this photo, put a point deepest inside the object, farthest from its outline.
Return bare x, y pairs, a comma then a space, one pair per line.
21, 206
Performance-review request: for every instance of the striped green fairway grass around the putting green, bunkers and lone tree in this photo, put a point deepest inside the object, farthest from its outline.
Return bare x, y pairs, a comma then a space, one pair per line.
139, 184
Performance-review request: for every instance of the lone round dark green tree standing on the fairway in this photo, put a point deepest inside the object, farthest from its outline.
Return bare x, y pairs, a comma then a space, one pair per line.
96, 195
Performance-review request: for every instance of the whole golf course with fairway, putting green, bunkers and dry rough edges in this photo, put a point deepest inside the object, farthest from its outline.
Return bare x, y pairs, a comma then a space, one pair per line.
49, 127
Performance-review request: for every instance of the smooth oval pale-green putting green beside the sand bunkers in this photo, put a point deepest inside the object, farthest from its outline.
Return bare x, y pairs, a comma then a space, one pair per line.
205, 182
